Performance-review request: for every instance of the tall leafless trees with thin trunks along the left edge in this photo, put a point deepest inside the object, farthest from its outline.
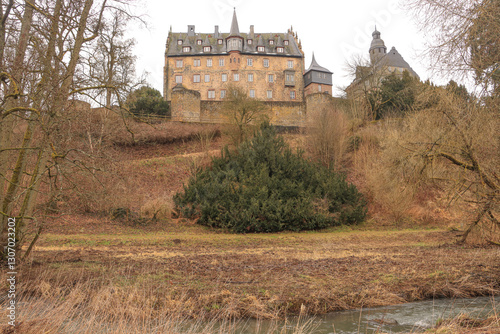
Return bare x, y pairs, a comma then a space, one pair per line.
38, 81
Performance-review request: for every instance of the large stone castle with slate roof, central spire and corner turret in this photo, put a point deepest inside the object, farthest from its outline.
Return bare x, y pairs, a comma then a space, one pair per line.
201, 67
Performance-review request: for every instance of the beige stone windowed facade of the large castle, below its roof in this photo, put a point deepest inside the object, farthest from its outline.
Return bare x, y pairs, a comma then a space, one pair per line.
264, 77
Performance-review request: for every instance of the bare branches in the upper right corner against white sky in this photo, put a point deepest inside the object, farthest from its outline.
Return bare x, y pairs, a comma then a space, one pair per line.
462, 38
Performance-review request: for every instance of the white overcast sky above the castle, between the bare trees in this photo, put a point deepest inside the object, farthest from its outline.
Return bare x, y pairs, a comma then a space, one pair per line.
333, 30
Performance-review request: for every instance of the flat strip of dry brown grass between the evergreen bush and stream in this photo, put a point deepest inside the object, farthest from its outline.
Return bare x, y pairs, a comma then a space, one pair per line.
180, 269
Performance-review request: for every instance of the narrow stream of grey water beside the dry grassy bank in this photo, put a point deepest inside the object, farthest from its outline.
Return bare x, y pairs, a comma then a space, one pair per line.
391, 319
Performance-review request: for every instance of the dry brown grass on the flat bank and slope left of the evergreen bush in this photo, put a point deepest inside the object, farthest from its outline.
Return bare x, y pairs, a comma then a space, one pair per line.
89, 269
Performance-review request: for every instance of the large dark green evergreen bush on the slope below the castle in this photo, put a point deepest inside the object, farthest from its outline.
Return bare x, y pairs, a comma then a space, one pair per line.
264, 187
